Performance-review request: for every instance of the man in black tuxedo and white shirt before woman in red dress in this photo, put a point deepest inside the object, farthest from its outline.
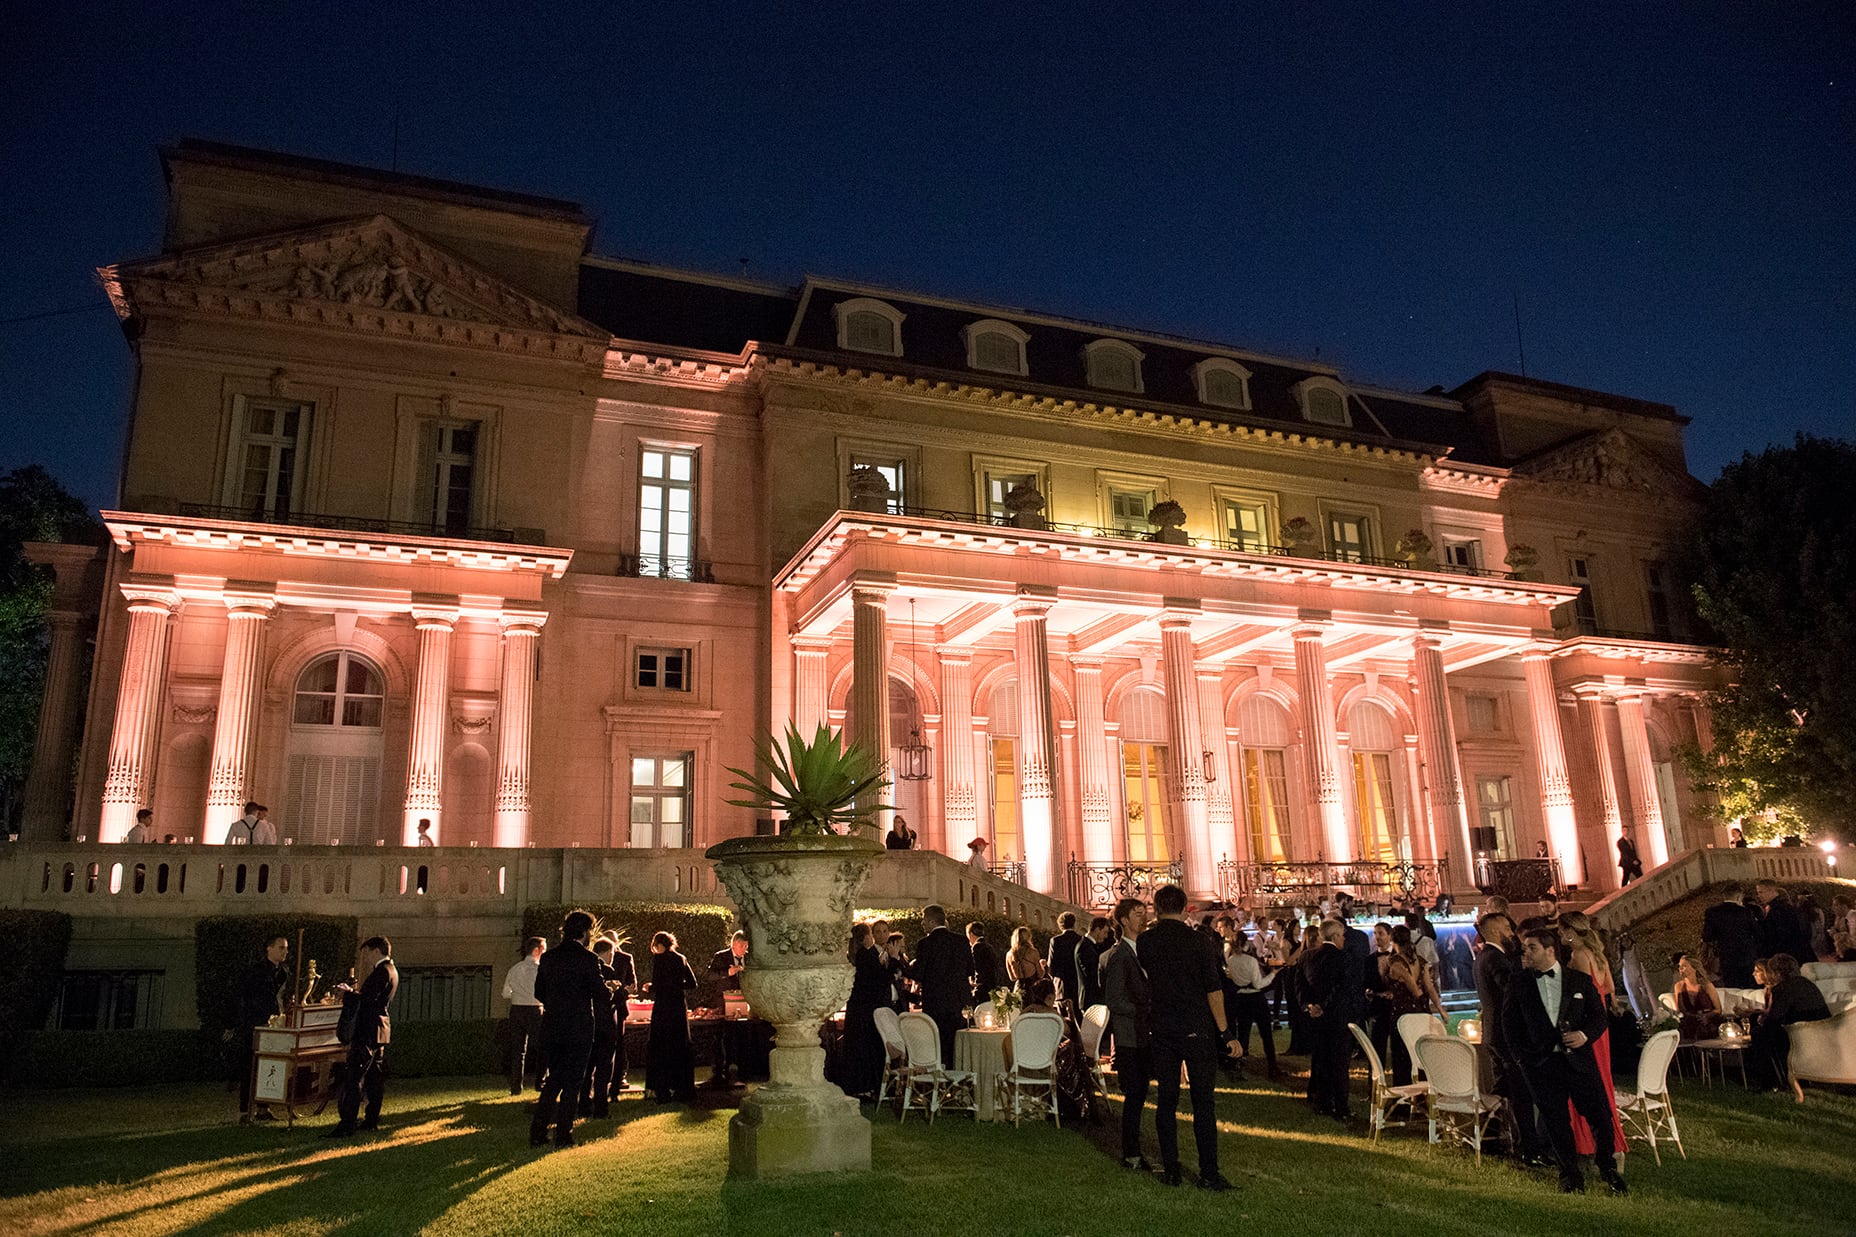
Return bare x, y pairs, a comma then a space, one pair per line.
1551, 1019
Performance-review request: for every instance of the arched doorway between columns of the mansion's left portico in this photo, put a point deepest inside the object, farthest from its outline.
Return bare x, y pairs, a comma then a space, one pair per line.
333, 757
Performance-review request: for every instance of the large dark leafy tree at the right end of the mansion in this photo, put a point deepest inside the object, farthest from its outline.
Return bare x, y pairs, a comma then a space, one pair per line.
1773, 573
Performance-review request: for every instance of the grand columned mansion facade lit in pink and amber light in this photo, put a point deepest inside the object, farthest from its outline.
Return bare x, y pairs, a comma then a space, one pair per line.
432, 515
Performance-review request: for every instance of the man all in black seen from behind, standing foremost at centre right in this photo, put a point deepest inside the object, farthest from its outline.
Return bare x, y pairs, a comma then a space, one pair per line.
1189, 1008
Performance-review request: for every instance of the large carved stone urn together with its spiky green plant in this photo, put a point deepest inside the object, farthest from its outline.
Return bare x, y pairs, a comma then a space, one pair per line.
795, 892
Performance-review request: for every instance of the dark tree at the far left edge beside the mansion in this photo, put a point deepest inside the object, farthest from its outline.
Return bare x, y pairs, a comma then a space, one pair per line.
32, 508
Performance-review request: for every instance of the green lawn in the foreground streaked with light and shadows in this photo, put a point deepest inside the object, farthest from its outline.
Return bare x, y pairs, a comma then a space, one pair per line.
456, 1160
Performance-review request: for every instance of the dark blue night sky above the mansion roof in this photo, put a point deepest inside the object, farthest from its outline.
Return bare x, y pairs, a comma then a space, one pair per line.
1669, 190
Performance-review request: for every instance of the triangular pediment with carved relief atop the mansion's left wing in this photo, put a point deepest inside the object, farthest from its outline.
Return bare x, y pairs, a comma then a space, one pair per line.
363, 274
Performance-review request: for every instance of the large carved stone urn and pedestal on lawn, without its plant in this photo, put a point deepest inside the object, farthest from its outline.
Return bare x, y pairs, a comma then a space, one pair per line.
797, 896
